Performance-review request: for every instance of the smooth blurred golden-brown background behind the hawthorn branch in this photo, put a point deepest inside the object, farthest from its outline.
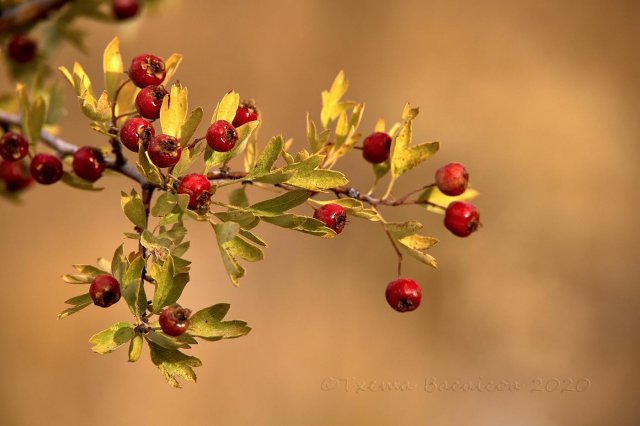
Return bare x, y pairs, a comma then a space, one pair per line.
539, 99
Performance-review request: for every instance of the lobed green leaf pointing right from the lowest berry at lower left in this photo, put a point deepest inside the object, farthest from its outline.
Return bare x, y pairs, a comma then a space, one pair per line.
208, 325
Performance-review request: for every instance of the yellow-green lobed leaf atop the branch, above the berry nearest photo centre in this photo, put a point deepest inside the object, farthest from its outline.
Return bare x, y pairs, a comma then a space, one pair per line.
308, 176
